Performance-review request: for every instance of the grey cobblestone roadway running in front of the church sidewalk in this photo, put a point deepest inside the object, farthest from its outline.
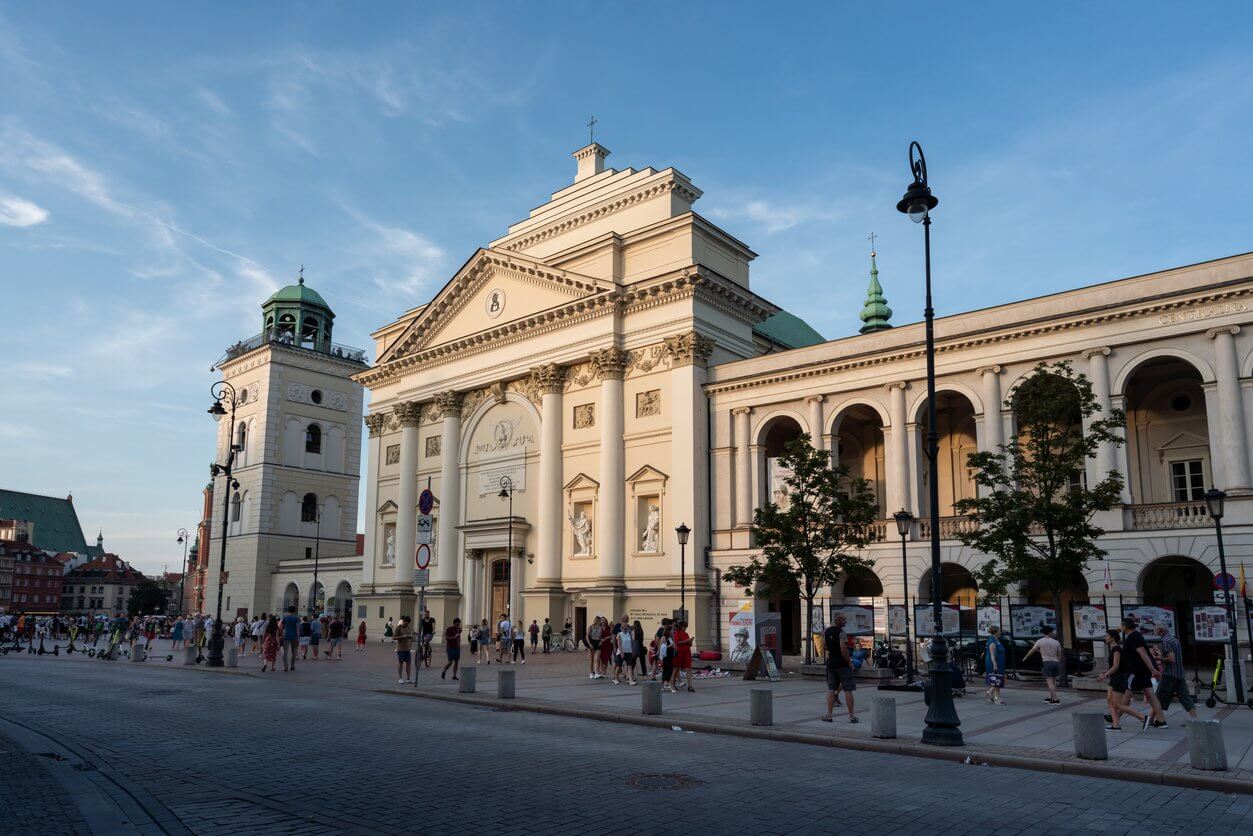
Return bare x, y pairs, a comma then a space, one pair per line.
239, 754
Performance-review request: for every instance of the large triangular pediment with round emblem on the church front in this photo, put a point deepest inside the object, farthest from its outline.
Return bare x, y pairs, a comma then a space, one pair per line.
494, 290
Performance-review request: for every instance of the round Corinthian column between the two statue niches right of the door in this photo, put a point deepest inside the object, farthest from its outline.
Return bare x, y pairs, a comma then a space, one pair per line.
611, 367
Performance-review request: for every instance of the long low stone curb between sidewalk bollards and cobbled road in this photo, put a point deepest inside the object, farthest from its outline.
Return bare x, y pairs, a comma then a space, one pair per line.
1168, 775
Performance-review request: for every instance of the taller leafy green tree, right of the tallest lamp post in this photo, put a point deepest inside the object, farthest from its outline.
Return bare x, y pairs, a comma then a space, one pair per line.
1034, 515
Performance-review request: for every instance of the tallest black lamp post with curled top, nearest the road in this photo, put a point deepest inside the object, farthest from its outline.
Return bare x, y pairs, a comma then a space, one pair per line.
943, 724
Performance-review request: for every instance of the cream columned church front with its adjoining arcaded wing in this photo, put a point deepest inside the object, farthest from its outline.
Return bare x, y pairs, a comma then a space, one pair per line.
605, 373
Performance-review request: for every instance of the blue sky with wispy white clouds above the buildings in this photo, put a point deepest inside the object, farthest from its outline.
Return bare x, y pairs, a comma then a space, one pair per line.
164, 169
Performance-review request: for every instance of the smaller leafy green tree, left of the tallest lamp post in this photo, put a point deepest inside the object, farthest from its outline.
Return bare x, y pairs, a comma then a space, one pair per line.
815, 533
